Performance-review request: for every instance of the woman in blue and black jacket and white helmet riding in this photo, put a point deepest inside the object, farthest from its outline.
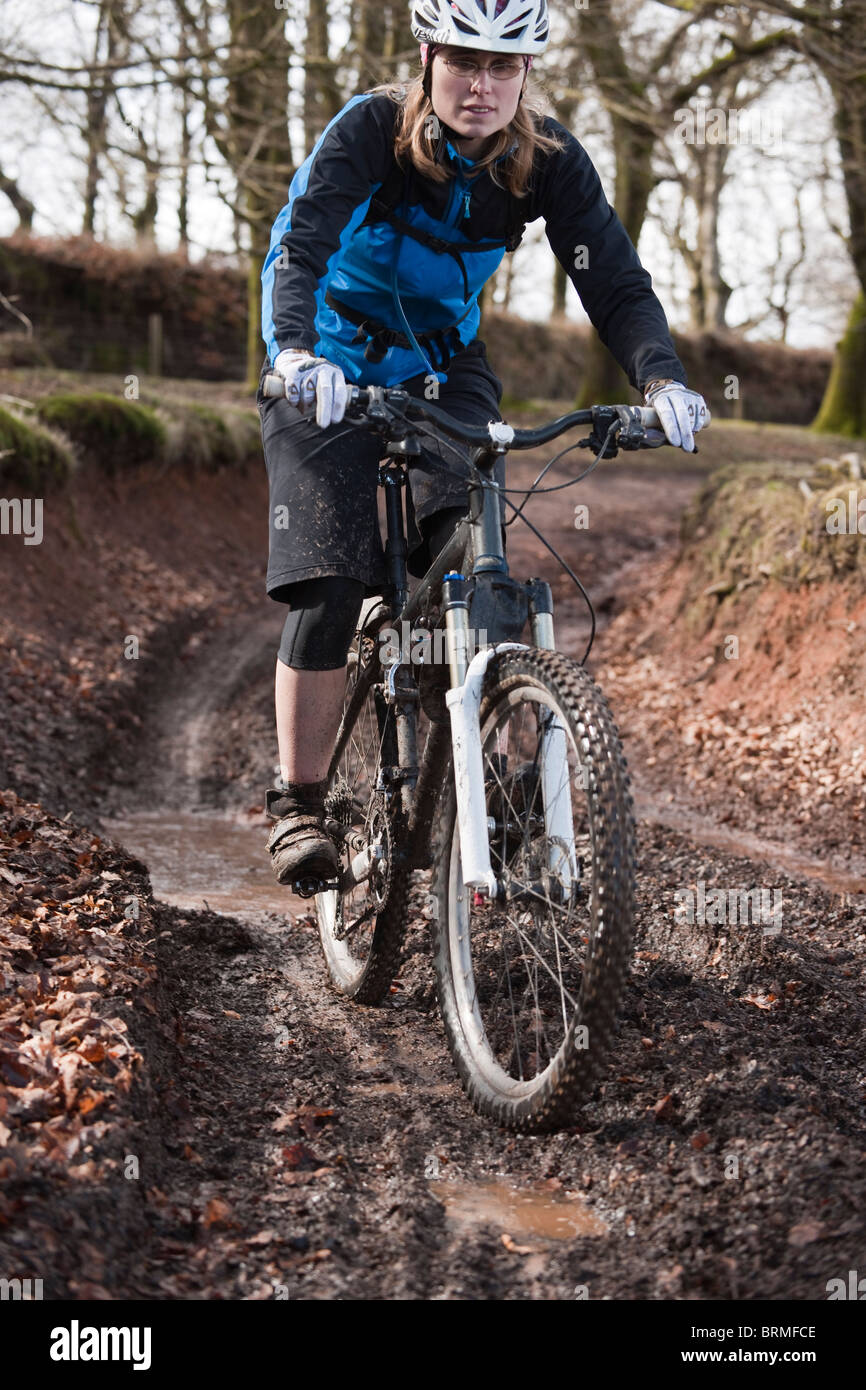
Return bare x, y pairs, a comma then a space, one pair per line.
395, 222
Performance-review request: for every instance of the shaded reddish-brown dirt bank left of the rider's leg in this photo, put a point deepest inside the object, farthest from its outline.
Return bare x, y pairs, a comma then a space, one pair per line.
131, 576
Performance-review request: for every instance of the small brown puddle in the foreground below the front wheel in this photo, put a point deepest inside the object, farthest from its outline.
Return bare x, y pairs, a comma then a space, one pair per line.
521, 1213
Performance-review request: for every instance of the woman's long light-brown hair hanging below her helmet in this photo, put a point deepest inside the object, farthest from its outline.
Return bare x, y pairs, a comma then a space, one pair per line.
418, 136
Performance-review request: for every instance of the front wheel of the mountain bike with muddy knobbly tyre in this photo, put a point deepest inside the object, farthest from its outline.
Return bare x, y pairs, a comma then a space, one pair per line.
530, 982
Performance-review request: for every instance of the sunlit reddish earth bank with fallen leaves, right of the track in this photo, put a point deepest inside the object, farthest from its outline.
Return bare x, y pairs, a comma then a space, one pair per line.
739, 668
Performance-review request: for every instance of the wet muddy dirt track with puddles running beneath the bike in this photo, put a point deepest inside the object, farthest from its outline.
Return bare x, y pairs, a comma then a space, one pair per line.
291, 1143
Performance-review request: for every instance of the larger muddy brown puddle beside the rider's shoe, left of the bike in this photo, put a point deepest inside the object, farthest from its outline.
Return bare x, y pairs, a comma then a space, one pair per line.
206, 860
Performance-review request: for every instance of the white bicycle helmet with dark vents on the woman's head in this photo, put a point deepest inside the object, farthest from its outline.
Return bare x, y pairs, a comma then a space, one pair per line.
493, 26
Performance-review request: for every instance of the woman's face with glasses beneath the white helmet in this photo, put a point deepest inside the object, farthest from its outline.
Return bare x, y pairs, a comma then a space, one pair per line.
475, 109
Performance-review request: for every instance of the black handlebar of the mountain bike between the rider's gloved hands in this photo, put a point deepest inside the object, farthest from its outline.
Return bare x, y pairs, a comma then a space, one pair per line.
635, 420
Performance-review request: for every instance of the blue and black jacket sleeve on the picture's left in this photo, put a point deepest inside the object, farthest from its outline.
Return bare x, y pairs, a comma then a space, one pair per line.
329, 199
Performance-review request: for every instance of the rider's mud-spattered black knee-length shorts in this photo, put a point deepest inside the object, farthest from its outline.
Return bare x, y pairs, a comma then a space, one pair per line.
323, 483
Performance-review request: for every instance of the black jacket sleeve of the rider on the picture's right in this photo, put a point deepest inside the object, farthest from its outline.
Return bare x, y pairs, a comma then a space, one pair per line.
597, 254
